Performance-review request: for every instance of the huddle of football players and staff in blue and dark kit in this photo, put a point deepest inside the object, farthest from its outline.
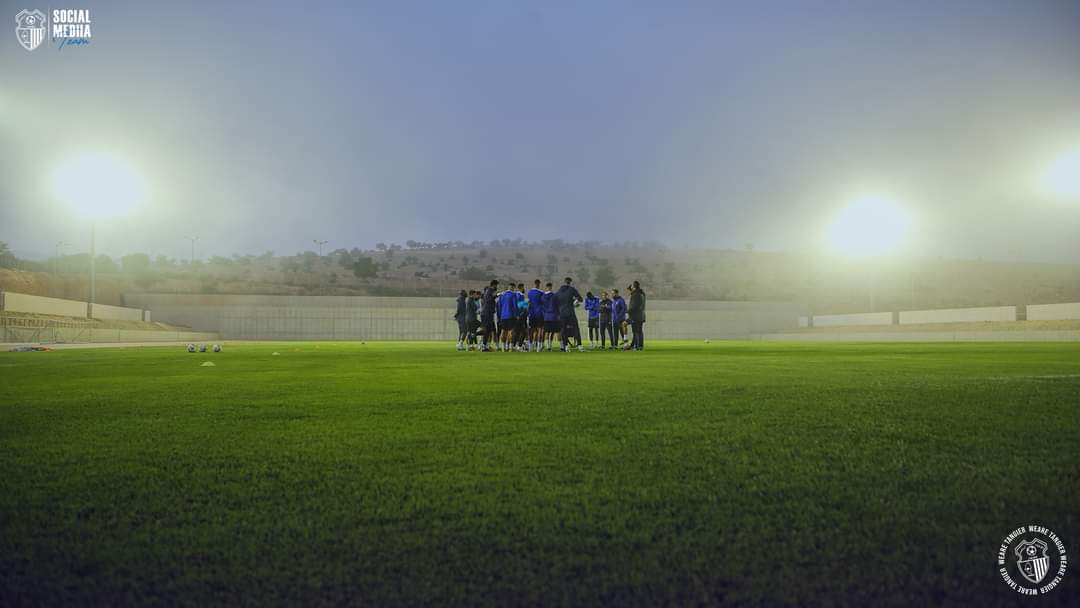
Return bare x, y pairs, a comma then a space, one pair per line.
541, 319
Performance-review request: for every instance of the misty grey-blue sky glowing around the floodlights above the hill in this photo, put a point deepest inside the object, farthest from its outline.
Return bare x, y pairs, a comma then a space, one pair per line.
266, 126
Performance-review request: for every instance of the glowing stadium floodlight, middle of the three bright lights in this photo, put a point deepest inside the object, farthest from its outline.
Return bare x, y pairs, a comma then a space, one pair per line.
869, 227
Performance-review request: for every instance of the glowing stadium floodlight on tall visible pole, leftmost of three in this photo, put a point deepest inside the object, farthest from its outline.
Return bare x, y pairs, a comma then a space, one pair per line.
97, 186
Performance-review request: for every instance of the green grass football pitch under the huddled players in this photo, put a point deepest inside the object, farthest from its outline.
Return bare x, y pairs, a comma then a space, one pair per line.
413, 475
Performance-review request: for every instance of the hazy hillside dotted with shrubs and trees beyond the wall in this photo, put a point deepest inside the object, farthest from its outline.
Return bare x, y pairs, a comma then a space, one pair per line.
827, 285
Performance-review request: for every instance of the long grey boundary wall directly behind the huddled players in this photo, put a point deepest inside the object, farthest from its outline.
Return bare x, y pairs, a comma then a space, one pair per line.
367, 318
